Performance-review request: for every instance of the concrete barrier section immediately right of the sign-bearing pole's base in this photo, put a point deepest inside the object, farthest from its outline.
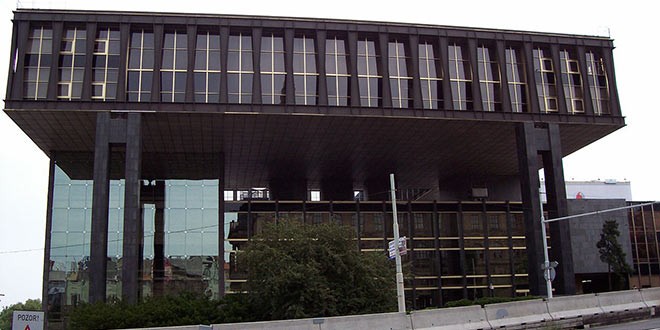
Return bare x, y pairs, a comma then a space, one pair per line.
468, 317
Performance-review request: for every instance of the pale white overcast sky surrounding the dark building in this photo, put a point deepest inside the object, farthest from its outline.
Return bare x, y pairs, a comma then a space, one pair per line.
630, 153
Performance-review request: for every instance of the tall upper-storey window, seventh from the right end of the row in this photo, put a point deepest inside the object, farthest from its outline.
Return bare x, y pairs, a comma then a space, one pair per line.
430, 74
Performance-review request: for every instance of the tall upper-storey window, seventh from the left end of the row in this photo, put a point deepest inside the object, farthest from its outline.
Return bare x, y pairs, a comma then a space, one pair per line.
239, 68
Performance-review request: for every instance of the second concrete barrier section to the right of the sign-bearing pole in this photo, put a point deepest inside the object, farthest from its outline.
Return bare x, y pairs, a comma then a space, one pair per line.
517, 313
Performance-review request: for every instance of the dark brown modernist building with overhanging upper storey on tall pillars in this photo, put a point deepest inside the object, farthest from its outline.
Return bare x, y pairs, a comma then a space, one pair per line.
174, 137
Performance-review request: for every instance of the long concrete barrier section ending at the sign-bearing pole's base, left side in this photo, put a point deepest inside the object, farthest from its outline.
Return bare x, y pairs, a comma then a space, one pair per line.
392, 321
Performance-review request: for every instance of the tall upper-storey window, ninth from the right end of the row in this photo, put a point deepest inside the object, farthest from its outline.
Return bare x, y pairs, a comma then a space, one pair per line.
368, 78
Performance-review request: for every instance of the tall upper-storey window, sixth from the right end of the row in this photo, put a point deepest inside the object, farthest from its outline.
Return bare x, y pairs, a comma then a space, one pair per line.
460, 78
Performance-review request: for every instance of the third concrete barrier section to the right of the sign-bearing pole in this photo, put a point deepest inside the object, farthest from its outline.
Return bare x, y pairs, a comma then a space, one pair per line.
573, 306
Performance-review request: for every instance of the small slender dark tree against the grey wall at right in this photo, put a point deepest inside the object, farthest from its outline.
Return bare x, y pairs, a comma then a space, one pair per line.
612, 253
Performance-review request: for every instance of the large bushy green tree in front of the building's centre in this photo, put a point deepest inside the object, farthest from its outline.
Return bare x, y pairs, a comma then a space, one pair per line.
298, 271
